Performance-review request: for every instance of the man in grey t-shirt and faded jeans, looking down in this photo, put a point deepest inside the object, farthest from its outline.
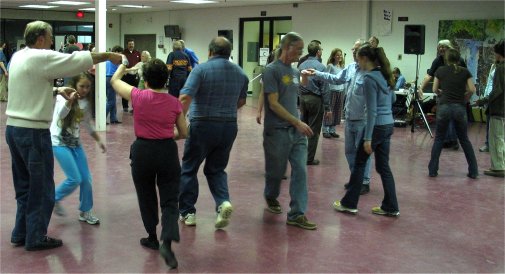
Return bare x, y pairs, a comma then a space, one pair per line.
284, 135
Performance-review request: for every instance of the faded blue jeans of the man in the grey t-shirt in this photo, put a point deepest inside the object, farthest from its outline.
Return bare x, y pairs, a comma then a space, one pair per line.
282, 145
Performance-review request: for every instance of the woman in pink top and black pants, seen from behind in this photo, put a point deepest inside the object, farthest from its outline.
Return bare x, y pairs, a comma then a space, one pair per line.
154, 156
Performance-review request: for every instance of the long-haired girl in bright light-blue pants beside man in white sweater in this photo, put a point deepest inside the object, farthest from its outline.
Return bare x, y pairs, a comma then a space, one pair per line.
67, 147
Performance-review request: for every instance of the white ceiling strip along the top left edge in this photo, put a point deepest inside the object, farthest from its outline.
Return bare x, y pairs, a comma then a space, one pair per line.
157, 5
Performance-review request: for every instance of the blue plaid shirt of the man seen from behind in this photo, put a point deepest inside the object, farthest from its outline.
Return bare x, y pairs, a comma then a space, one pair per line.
215, 88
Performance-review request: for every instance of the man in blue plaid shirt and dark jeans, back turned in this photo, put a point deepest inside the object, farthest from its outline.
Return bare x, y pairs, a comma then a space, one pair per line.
213, 93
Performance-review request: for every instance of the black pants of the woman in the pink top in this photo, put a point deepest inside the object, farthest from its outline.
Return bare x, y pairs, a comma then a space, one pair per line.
156, 163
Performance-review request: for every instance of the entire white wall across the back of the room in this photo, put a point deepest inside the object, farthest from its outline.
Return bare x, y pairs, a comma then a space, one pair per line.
335, 24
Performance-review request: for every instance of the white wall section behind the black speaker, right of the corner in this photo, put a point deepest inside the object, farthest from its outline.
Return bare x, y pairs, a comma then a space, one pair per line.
426, 13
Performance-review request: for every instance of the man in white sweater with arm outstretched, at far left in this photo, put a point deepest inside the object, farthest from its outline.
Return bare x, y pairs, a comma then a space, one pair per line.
29, 114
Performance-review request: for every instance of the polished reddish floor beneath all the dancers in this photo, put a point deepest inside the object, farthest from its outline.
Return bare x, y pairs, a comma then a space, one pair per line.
447, 224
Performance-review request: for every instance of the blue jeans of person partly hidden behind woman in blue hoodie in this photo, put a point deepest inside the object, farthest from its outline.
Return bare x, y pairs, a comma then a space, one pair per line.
354, 131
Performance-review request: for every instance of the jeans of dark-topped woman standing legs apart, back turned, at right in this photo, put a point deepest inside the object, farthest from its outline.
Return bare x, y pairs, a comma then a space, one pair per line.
456, 113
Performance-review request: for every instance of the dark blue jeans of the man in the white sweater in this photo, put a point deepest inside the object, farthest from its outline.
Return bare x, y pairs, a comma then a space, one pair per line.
33, 177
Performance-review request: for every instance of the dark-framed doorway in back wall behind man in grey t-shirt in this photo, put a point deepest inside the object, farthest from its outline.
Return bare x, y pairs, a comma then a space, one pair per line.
255, 34
